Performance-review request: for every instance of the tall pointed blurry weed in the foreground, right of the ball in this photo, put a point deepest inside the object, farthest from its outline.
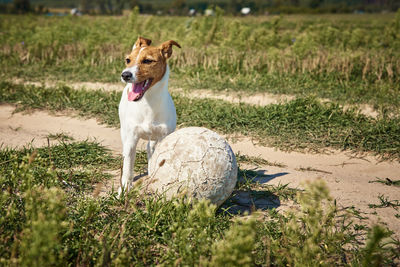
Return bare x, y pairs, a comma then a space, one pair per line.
314, 227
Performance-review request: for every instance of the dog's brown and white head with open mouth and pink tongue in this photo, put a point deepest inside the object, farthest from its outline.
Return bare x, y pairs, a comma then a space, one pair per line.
145, 66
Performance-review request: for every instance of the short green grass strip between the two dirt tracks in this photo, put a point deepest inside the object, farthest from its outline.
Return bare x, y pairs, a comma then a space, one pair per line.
304, 123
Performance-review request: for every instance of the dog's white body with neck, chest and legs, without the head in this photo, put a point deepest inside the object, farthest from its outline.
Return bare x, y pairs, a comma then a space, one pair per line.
152, 118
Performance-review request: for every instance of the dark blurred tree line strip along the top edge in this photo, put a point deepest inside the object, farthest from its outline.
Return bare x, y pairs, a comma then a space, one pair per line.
182, 7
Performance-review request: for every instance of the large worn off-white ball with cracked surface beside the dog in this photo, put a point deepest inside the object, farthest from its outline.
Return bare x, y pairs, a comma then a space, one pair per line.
195, 162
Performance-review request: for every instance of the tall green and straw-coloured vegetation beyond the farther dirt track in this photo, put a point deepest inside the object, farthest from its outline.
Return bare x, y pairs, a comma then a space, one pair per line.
346, 58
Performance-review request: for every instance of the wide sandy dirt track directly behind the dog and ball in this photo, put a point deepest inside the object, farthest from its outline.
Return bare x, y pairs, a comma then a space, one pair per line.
347, 177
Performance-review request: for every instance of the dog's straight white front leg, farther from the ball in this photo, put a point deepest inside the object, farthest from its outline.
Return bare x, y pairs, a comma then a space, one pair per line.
129, 154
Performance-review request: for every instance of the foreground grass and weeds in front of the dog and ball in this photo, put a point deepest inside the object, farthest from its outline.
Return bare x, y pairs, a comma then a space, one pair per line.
44, 221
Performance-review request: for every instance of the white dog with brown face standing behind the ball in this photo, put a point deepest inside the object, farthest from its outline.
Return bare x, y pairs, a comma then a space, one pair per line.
146, 109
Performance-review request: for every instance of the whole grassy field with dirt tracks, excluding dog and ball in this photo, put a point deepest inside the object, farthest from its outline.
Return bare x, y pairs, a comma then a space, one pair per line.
301, 98
